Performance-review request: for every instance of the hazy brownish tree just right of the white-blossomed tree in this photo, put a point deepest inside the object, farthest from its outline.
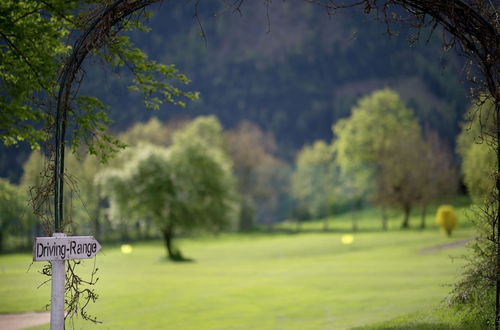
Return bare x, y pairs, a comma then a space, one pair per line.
262, 177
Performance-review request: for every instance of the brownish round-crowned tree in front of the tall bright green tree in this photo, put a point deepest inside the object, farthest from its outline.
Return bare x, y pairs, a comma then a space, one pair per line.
415, 171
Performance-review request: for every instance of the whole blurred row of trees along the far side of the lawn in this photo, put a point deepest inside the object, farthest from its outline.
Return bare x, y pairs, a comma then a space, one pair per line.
379, 156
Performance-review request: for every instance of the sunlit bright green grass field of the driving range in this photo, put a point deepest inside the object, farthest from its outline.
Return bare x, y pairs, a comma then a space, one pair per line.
277, 280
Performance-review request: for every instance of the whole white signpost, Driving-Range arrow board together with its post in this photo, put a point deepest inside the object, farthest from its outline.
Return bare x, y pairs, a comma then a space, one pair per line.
57, 249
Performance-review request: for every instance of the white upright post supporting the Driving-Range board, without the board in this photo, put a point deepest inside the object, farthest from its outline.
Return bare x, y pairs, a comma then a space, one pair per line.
57, 295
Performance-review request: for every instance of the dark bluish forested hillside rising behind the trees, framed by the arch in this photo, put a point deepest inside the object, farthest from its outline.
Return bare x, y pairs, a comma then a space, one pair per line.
293, 69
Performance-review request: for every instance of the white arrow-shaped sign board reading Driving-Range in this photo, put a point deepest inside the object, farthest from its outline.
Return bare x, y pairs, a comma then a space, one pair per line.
65, 248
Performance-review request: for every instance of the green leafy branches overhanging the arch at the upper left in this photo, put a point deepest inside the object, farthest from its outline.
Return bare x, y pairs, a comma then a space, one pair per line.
30, 73
